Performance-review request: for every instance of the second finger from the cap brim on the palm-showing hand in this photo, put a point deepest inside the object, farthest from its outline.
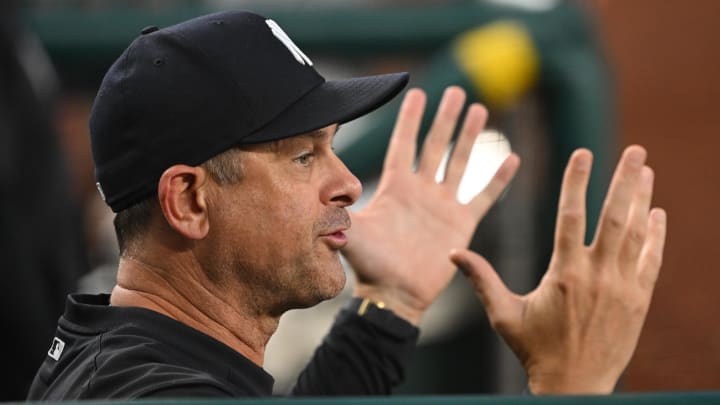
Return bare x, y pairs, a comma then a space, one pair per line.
441, 131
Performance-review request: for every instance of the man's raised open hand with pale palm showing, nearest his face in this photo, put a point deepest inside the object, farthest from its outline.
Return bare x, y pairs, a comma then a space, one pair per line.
399, 244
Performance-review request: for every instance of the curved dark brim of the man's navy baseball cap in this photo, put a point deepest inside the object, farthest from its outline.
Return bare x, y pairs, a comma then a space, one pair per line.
331, 102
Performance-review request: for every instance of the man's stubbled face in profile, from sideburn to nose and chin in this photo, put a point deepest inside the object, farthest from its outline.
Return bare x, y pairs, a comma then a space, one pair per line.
276, 234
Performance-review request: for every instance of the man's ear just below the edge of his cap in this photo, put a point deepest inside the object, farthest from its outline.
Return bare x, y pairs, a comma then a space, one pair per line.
182, 192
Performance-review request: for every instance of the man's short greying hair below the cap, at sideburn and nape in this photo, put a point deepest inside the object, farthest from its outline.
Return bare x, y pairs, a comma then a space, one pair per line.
134, 221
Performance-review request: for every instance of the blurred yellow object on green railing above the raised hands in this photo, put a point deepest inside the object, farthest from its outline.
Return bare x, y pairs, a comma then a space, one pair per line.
500, 60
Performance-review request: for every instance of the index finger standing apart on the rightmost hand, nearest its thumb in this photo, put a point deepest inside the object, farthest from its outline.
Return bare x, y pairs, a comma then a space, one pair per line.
571, 218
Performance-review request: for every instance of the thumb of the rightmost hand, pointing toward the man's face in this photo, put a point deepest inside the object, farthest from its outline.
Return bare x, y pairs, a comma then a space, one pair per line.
499, 302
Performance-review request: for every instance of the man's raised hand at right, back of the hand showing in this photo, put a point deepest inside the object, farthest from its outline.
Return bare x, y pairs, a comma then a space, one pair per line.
576, 332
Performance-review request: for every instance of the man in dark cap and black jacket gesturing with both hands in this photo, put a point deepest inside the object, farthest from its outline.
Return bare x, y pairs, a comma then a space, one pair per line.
212, 141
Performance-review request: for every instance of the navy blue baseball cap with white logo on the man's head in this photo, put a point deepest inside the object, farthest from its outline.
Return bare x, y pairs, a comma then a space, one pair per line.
185, 93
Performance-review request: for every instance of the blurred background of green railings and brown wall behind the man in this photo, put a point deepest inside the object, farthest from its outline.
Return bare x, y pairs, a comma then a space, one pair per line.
556, 75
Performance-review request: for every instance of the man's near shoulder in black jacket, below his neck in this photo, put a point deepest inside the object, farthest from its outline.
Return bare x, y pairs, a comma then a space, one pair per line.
122, 353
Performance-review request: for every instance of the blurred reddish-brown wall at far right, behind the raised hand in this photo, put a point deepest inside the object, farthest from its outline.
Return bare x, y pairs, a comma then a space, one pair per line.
666, 56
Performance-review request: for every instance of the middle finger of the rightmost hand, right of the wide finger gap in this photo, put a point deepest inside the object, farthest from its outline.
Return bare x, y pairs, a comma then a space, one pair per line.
613, 219
